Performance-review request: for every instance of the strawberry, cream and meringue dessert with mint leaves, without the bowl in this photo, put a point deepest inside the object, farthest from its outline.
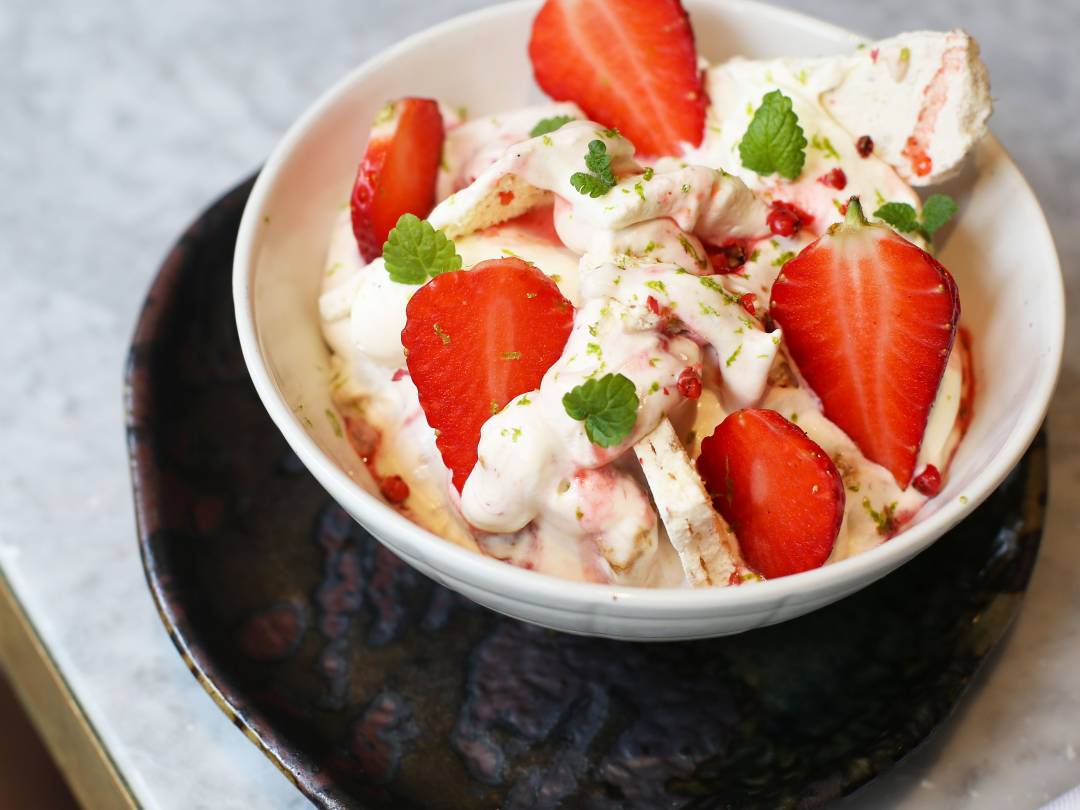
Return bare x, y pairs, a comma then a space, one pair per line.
682, 327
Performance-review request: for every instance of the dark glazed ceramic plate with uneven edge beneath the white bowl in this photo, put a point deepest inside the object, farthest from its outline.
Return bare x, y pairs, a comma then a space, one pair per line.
371, 686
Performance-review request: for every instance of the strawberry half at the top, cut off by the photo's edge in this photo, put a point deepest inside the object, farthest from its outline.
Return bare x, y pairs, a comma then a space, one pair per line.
629, 64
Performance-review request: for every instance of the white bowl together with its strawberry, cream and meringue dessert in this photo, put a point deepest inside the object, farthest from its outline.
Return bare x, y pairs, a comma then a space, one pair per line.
651, 388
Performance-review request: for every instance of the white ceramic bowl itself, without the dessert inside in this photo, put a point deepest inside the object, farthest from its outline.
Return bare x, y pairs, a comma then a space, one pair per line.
1001, 252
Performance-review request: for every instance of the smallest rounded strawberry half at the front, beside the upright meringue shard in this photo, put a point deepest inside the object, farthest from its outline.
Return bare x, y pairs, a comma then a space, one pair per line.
780, 492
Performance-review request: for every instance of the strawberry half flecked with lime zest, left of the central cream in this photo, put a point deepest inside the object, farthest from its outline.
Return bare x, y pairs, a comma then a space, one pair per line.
477, 340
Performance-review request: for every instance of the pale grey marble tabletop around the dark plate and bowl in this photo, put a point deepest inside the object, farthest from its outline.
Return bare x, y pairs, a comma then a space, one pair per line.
120, 120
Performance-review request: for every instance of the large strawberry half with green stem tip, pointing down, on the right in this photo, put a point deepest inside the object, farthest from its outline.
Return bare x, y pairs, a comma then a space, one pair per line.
870, 320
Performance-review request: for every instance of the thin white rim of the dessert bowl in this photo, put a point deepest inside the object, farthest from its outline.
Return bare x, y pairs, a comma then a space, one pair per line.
542, 590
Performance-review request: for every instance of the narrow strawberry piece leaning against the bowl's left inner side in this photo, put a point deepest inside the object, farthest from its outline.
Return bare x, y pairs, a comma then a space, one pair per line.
398, 172
